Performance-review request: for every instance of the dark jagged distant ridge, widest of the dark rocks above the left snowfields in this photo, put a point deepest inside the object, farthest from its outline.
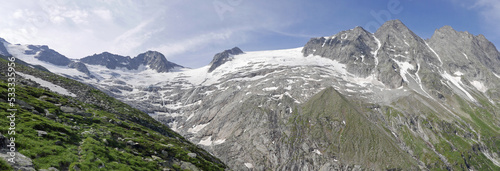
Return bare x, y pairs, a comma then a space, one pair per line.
155, 60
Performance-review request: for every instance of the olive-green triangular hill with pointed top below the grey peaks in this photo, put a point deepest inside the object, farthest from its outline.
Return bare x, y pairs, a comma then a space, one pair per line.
358, 141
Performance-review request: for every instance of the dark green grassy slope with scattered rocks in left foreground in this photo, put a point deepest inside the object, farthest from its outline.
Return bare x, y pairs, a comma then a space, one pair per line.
92, 131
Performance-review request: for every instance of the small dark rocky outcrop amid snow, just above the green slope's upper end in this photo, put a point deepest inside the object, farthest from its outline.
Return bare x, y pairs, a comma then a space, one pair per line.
44, 53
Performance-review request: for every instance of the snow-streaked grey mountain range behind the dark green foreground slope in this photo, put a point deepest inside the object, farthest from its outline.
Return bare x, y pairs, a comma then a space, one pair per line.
387, 100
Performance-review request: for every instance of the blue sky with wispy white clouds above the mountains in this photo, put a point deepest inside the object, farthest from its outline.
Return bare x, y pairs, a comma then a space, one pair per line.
191, 32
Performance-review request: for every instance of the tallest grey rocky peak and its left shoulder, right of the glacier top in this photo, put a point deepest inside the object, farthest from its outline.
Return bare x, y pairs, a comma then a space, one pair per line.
379, 54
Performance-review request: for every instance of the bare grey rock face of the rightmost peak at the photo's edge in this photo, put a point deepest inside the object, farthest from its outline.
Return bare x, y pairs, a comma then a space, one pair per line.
474, 58
